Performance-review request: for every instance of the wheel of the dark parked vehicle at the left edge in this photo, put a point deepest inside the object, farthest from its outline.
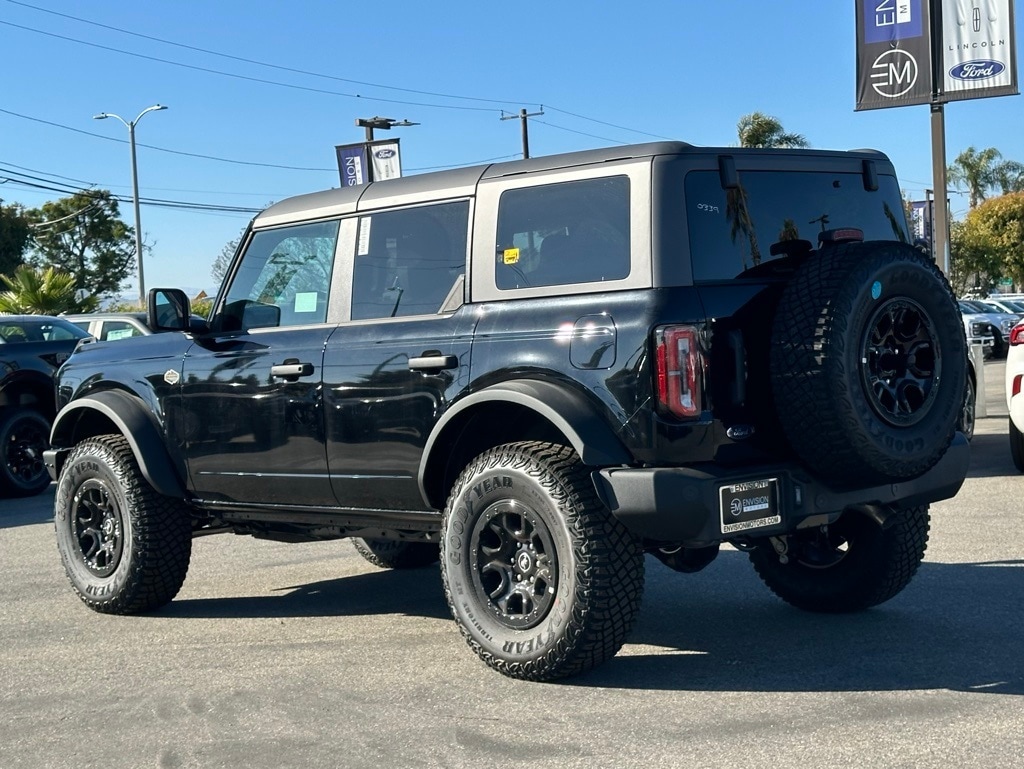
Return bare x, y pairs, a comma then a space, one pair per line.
25, 435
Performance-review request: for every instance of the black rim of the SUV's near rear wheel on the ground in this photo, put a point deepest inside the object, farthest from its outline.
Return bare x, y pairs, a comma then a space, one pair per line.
515, 565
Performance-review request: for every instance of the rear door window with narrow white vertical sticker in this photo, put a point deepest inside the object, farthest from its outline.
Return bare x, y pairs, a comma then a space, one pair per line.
408, 261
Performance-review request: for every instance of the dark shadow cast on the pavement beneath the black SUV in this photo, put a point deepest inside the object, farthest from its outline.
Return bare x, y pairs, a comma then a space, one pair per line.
957, 627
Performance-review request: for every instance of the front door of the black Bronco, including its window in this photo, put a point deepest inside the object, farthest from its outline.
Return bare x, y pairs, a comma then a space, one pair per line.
252, 413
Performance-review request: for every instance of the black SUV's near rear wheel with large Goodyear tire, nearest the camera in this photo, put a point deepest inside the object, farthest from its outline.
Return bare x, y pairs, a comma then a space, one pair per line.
542, 580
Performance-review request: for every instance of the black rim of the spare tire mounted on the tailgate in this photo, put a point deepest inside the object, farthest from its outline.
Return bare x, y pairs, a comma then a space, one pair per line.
901, 362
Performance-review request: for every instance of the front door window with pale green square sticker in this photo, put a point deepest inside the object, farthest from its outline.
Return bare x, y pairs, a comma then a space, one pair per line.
283, 280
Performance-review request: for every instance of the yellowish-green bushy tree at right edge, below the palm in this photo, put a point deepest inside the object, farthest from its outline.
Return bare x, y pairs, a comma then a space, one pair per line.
991, 241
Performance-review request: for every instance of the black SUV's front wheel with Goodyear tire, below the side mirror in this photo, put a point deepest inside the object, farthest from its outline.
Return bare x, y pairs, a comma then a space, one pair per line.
125, 548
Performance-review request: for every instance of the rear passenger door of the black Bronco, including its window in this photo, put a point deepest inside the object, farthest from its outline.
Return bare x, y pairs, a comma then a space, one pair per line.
392, 371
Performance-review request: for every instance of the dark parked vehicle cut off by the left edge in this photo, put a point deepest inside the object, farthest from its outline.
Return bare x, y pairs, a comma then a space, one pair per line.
32, 349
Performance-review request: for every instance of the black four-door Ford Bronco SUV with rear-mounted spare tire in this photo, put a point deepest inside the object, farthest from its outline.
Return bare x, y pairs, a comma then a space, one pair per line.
537, 372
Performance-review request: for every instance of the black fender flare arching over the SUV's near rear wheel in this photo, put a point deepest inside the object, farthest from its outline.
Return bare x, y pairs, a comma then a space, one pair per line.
590, 435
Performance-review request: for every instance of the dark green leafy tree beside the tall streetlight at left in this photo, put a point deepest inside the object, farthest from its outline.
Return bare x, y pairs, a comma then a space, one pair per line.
84, 236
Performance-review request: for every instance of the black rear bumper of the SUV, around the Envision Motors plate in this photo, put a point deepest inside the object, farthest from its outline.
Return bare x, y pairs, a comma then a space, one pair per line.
684, 504
